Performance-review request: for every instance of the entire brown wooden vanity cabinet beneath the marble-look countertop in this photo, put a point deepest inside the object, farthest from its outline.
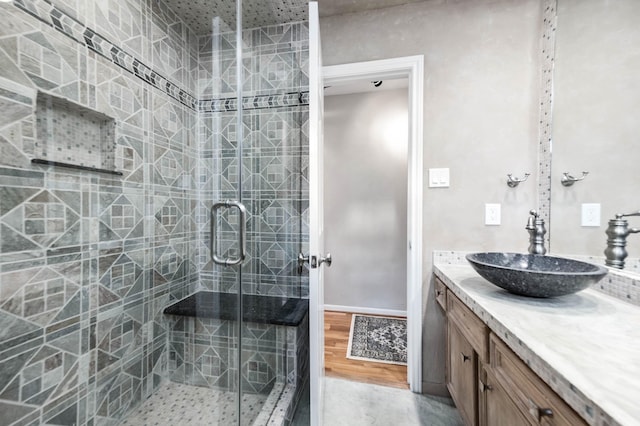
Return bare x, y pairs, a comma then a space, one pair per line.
489, 383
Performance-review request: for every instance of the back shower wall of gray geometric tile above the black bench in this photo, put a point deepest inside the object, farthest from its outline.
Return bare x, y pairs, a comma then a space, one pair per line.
275, 154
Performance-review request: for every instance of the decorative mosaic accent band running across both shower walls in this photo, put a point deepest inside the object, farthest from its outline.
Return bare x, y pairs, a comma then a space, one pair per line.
46, 12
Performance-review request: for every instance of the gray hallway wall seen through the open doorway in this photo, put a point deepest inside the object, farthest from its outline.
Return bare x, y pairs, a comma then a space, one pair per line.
366, 199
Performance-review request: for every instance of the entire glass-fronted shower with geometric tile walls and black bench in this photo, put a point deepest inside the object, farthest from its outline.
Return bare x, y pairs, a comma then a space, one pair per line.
153, 203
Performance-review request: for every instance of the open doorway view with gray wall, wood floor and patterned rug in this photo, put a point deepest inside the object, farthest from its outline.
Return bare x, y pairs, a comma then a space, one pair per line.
365, 214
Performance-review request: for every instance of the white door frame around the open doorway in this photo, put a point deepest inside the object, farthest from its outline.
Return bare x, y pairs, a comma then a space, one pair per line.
412, 68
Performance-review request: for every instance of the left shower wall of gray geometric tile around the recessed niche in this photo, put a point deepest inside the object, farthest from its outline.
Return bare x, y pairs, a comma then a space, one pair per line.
89, 262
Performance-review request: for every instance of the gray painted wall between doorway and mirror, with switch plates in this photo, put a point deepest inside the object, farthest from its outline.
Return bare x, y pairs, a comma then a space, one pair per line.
481, 117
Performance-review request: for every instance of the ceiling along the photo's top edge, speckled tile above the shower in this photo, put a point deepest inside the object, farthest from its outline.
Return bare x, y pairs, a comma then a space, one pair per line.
199, 14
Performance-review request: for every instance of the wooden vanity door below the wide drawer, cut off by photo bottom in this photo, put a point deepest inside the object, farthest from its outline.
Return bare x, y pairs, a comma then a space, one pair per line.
499, 409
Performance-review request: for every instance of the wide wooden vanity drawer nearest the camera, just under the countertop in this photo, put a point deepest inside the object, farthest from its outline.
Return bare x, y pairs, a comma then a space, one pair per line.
537, 401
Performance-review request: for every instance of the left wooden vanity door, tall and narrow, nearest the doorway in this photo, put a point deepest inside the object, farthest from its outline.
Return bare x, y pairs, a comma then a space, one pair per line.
462, 374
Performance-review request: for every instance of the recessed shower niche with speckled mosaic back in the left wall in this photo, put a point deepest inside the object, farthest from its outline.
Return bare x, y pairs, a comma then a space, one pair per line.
73, 134
